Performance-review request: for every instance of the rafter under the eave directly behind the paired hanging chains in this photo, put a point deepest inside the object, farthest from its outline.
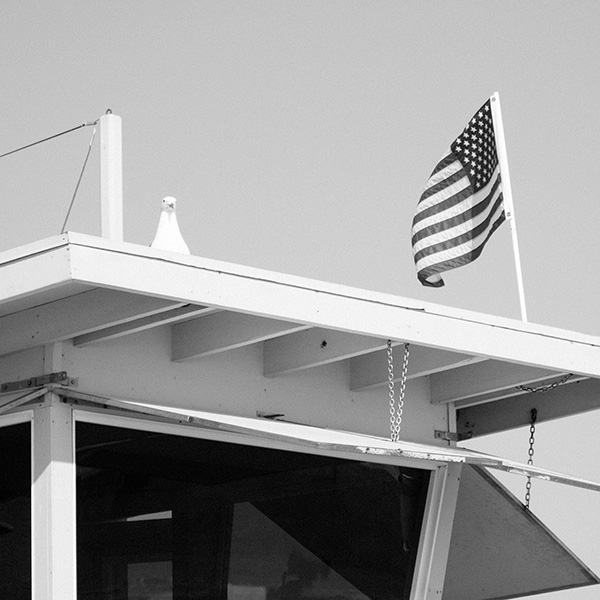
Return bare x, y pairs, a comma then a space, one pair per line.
370, 371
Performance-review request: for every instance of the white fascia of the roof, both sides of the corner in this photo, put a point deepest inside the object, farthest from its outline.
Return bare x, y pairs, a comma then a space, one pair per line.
67, 265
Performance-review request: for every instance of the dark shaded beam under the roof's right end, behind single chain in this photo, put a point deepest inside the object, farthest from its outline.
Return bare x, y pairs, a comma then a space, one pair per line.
510, 413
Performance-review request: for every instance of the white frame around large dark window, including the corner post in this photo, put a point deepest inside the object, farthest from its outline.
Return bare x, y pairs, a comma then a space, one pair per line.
53, 494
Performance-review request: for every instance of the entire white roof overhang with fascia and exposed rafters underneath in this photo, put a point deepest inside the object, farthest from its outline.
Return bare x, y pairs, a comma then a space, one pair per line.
91, 289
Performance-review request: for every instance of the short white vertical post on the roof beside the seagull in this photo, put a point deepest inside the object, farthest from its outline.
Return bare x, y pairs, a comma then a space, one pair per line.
111, 177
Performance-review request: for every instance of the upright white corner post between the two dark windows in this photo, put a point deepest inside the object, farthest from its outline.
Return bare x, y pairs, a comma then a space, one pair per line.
53, 501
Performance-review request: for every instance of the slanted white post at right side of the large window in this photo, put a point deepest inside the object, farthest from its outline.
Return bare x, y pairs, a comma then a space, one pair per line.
436, 532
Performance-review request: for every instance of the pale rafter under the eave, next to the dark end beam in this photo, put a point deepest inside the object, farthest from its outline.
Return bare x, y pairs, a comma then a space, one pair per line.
484, 377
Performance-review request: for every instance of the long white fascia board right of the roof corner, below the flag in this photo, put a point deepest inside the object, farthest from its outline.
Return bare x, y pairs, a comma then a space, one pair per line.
192, 280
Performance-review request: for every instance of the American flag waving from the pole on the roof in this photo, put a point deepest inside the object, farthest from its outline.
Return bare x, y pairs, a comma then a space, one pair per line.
462, 204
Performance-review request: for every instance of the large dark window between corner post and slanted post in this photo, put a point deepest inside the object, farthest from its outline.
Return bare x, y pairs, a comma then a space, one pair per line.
163, 517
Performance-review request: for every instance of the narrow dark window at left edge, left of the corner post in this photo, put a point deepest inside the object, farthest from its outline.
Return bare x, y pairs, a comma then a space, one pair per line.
15, 512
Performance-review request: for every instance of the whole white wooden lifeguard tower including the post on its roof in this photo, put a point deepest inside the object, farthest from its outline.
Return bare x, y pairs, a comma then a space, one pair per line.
179, 428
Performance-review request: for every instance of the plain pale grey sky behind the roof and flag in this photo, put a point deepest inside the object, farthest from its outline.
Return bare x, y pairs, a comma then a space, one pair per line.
297, 137
